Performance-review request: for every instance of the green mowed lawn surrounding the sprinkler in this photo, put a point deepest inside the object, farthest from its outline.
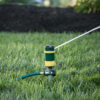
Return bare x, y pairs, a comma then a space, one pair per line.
77, 67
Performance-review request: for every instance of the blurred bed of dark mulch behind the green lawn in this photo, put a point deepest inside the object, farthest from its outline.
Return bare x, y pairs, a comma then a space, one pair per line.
30, 18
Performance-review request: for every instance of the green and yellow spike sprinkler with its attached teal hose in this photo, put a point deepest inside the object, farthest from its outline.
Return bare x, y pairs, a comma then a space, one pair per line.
49, 64
